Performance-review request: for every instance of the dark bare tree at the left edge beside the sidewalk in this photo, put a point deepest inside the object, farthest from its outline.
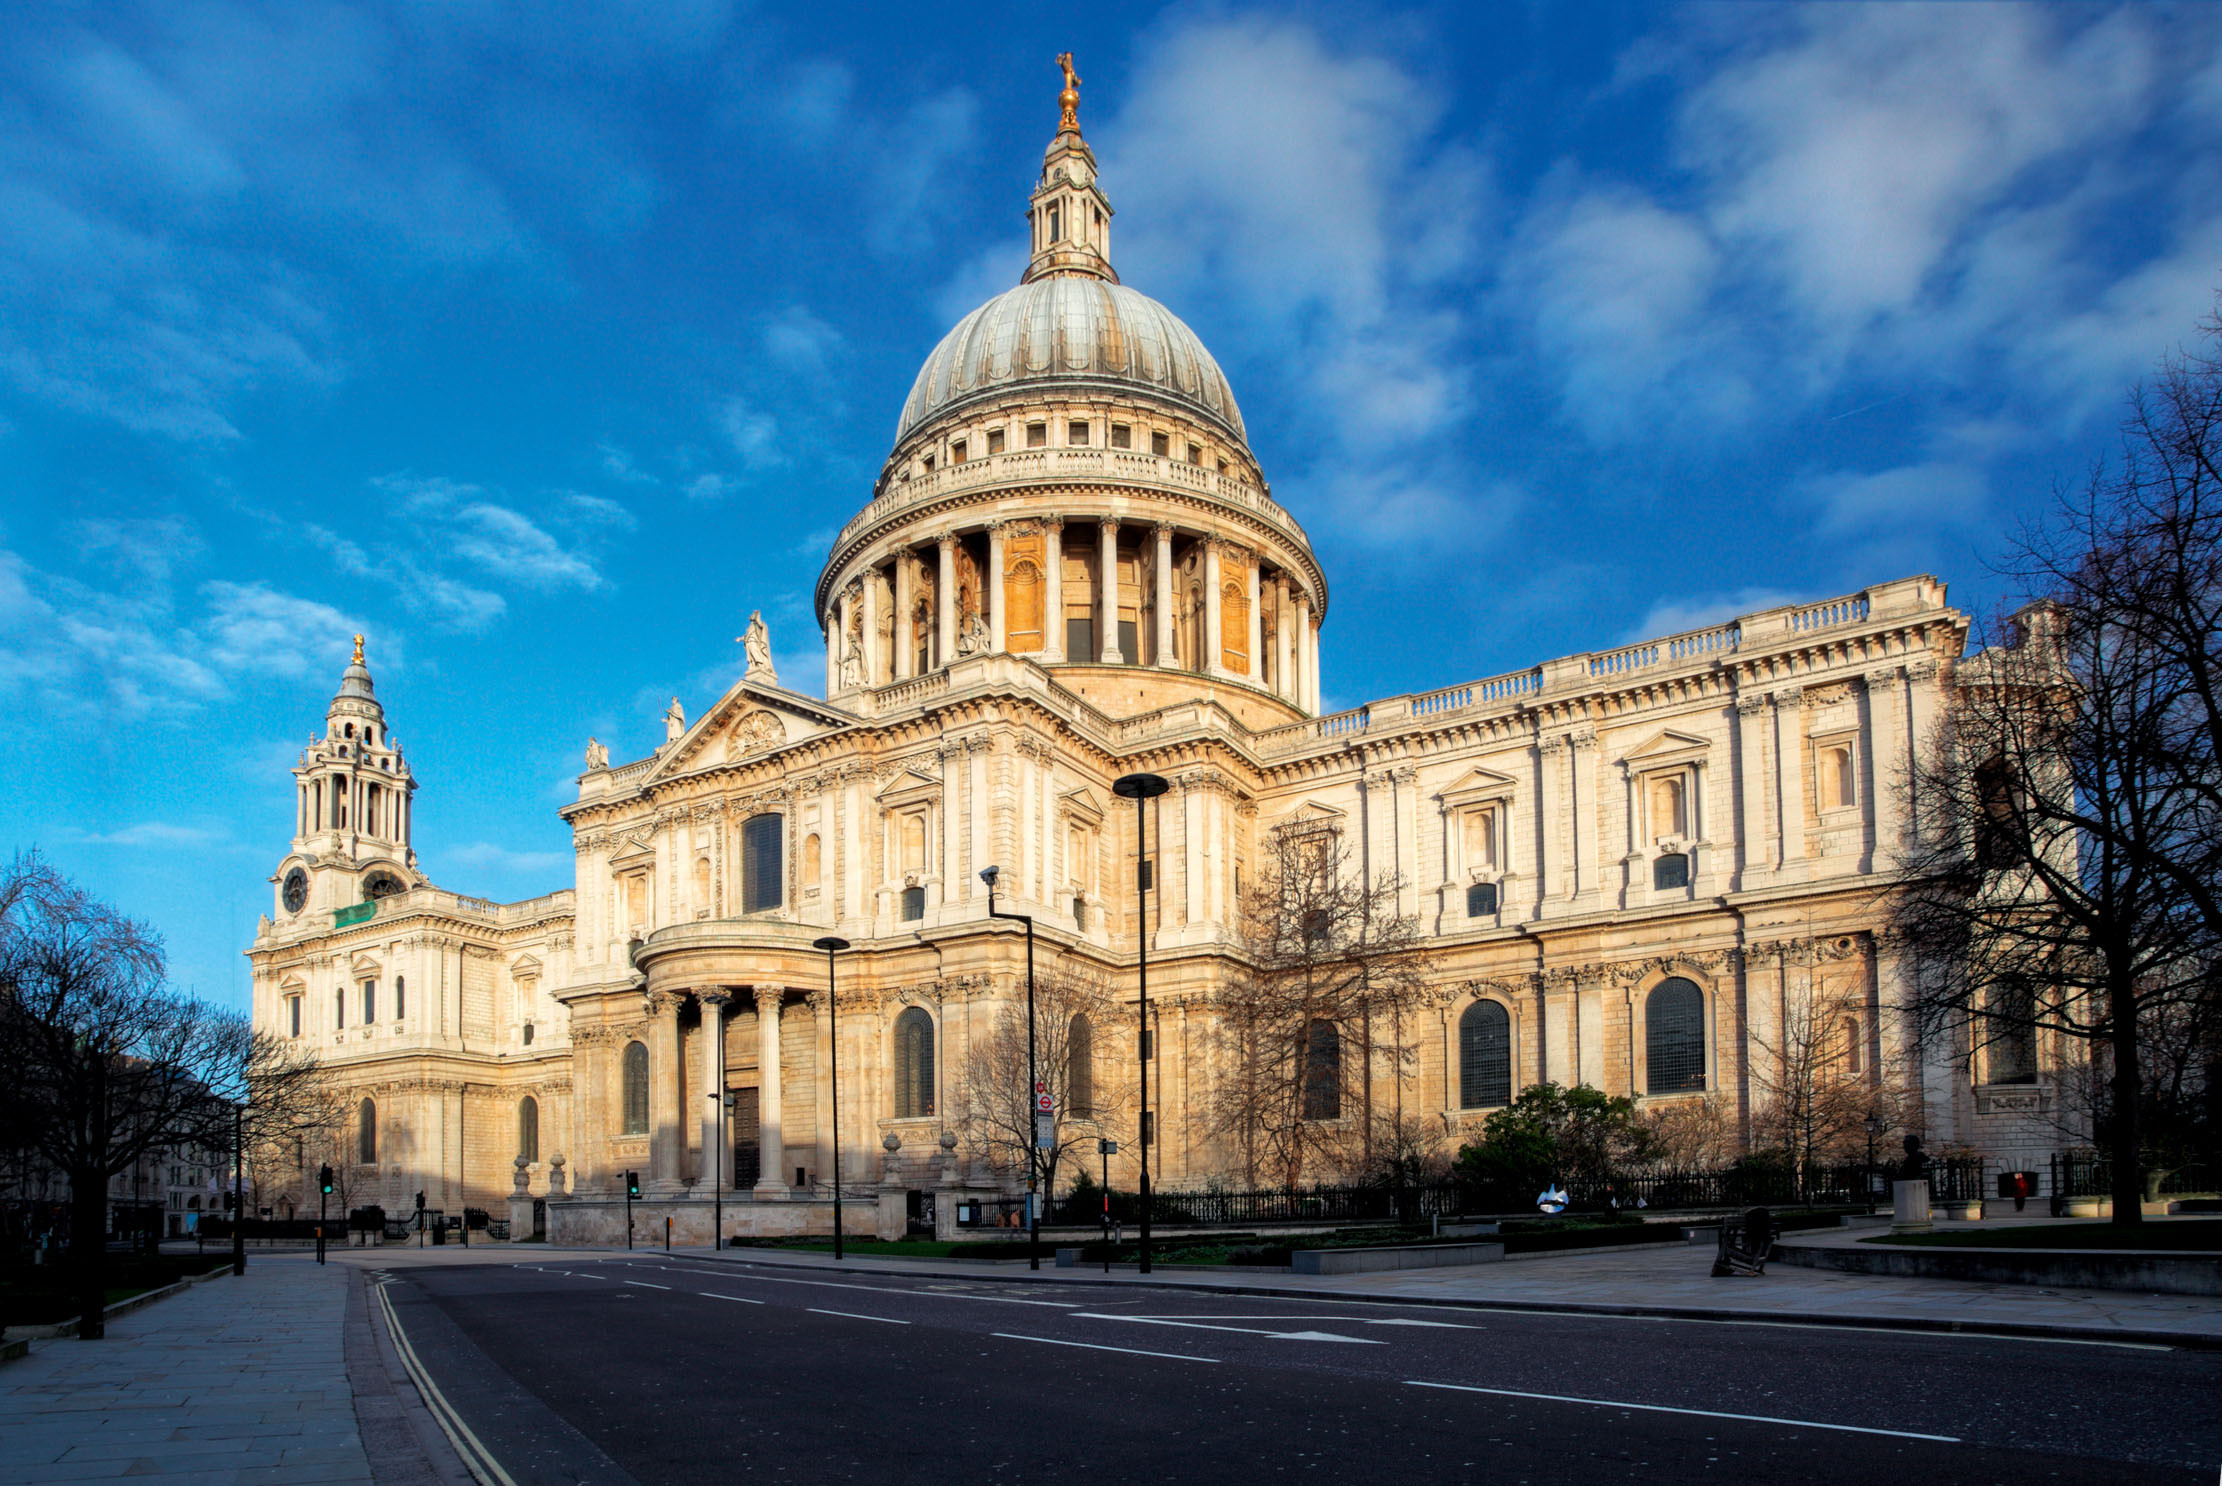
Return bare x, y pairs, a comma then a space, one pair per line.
108, 1065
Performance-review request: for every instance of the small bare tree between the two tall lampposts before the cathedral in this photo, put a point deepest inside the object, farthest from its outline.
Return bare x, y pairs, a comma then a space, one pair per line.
1074, 1038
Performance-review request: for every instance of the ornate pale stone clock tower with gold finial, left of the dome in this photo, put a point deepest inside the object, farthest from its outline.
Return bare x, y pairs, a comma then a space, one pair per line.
352, 810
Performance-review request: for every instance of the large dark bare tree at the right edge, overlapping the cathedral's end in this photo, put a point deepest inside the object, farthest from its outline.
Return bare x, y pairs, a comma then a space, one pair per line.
2068, 859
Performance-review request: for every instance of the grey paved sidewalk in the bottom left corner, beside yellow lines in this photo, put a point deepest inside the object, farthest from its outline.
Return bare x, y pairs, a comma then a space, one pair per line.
234, 1380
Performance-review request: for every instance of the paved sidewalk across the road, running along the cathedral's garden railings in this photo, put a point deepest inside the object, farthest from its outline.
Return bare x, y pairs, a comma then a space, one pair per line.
1665, 1281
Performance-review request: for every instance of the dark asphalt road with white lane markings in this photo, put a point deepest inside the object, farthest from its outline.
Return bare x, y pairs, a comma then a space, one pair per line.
659, 1372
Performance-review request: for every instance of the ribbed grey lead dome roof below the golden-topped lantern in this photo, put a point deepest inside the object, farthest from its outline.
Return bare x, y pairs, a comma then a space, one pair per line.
1072, 330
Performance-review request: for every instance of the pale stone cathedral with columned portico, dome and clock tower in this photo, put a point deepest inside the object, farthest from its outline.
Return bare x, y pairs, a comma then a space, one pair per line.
1637, 870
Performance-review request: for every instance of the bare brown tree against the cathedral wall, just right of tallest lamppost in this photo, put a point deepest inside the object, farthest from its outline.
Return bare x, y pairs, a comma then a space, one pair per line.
1321, 1003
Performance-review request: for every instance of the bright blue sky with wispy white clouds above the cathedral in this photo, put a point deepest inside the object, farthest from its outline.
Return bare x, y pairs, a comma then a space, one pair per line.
543, 350
